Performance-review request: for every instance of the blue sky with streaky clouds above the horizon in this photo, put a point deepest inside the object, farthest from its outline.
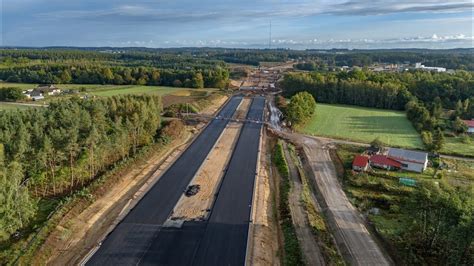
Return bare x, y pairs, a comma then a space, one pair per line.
296, 24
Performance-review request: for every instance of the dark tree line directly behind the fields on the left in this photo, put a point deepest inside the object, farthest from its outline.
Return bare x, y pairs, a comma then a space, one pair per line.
90, 74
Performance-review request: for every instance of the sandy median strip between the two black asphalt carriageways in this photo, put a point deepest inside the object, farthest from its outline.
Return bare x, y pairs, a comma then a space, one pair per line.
196, 207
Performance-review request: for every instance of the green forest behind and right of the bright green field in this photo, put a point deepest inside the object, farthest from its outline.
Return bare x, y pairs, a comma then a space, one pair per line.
425, 96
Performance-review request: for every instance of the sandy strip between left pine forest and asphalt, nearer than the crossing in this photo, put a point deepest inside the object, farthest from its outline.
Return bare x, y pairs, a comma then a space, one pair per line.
79, 232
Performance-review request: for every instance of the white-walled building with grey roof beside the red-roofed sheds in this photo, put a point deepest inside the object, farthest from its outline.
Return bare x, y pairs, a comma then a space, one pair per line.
411, 160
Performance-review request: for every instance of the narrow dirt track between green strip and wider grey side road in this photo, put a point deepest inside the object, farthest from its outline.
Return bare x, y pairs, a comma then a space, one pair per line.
309, 246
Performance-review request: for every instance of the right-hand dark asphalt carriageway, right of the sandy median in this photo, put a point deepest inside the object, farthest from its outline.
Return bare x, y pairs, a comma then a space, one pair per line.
225, 239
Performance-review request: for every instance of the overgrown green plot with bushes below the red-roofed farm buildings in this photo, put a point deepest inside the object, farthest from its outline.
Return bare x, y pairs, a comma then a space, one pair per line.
430, 223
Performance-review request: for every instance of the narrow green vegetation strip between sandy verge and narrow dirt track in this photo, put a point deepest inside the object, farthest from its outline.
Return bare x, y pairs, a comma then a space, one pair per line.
292, 250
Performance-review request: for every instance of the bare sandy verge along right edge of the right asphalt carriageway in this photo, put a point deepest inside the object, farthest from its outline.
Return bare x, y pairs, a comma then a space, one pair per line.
264, 243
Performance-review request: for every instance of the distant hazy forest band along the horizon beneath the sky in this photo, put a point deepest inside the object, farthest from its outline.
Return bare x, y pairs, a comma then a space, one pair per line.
205, 57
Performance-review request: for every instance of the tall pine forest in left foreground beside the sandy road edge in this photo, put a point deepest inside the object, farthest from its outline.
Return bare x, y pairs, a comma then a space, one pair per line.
49, 152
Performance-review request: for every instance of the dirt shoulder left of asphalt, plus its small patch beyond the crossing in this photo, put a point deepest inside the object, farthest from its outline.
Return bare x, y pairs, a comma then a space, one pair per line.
85, 224
